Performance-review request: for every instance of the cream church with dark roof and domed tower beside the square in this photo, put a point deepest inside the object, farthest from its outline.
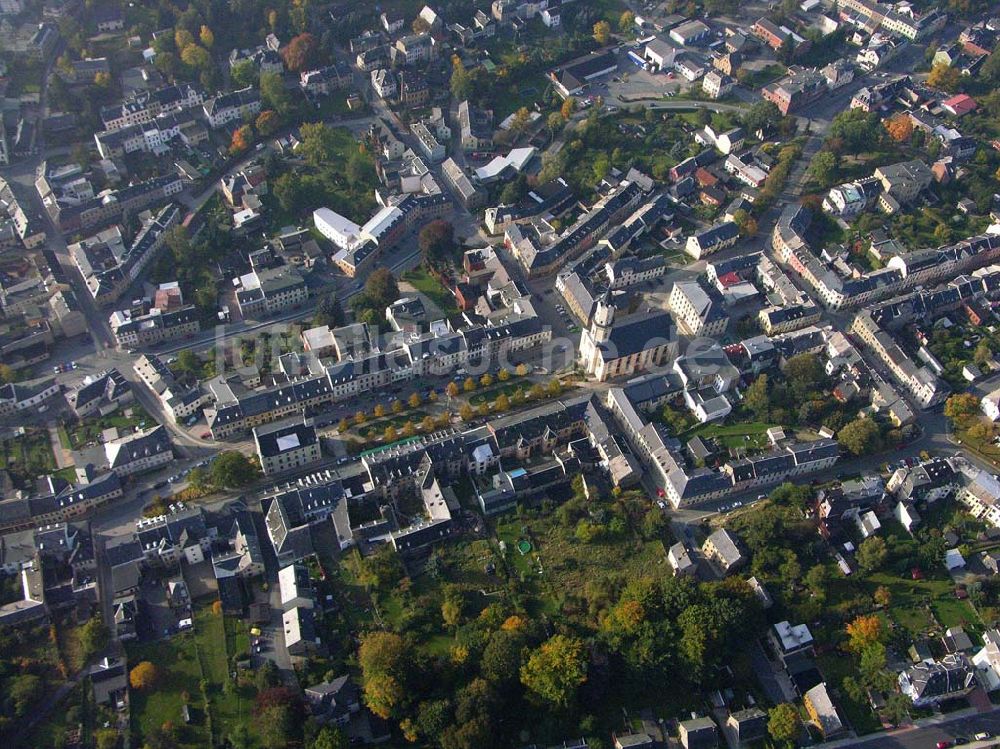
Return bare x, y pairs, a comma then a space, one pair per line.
612, 348
